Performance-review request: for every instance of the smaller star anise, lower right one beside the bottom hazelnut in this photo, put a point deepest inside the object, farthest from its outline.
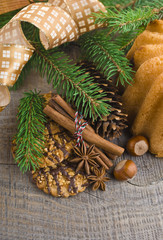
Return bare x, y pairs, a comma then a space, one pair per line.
98, 179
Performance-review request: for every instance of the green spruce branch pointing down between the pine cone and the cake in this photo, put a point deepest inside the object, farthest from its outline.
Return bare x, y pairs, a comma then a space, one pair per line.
107, 56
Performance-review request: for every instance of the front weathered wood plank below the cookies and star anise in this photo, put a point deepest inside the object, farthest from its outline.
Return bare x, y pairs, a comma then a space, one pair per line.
122, 212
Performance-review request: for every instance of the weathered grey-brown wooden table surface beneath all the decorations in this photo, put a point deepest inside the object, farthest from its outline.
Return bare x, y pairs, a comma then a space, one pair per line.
125, 211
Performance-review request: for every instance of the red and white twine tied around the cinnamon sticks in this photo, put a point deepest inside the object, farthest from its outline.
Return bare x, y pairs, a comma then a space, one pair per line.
79, 128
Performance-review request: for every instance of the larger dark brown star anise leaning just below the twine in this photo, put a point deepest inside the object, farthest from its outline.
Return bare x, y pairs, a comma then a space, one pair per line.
86, 157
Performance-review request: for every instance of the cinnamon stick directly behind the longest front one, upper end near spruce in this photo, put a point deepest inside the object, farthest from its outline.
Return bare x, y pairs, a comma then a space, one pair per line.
61, 102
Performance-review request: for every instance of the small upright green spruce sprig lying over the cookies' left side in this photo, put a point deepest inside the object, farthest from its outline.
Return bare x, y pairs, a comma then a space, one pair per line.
29, 139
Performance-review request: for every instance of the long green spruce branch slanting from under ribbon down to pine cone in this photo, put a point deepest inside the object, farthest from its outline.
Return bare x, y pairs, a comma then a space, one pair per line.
76, 85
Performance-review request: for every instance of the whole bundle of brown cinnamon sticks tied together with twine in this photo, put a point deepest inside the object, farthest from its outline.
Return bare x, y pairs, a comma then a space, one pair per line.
62, 113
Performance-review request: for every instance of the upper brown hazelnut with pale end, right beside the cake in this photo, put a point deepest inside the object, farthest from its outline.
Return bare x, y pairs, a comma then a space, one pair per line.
137, 145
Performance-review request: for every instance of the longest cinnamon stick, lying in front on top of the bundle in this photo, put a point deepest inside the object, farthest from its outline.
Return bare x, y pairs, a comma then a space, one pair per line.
89, 136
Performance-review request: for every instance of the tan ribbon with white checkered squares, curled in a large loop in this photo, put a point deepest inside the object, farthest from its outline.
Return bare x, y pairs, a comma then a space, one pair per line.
58, 21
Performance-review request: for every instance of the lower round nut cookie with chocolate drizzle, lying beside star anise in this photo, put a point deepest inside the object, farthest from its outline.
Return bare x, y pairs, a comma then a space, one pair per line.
60, 180
